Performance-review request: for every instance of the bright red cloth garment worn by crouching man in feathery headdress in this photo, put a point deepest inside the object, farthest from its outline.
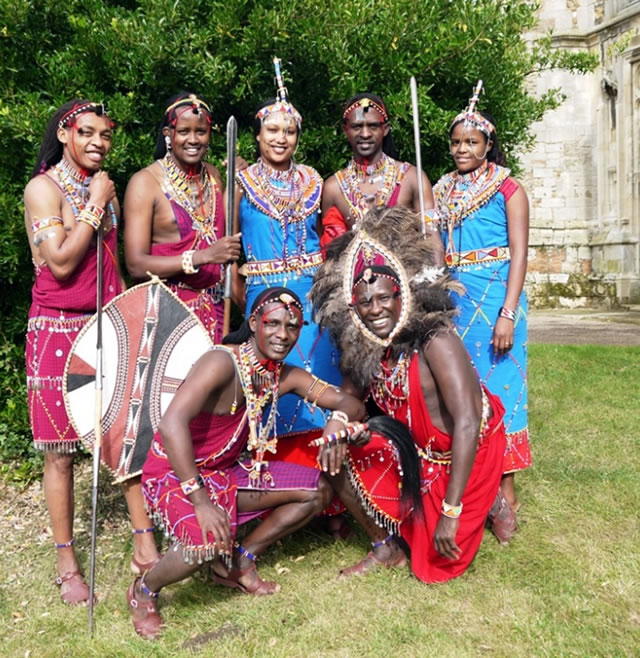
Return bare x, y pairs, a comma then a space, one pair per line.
369, 471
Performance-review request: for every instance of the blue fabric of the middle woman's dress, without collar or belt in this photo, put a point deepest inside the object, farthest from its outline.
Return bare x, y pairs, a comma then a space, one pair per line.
262, 239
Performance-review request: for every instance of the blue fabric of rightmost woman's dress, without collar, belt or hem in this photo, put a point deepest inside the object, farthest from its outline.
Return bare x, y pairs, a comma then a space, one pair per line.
486, 286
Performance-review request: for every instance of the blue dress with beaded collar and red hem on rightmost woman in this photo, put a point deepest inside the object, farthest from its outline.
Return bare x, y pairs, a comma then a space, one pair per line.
472, 209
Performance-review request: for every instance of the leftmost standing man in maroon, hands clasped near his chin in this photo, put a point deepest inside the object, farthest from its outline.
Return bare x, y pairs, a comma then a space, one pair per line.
66, 201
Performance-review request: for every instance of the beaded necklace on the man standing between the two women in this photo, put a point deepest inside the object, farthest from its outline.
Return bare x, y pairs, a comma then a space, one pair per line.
353, 177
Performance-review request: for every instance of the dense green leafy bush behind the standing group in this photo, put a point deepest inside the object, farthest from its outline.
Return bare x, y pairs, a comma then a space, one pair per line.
135, 54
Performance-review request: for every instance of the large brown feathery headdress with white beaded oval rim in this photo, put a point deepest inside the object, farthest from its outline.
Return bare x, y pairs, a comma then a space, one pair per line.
391, 239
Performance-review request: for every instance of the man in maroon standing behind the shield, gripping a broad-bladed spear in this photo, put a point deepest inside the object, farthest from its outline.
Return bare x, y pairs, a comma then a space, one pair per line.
174, 214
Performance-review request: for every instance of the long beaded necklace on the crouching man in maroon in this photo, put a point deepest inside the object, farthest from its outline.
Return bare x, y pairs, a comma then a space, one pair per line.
260, 386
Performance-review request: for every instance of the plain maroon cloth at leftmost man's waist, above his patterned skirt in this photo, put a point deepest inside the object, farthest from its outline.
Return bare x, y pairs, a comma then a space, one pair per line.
78, 293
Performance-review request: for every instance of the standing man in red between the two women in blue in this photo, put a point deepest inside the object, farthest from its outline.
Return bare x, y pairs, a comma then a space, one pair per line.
373, 178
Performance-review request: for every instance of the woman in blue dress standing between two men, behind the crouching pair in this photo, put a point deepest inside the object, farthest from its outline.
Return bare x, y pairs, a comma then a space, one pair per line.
277, 209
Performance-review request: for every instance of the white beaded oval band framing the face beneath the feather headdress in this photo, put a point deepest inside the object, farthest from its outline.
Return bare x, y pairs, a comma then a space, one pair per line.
364, 244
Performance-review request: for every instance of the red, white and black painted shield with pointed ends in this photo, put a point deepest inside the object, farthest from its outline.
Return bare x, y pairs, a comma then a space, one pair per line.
150, 340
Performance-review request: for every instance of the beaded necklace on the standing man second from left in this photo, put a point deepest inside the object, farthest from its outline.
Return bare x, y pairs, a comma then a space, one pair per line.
178, 185
